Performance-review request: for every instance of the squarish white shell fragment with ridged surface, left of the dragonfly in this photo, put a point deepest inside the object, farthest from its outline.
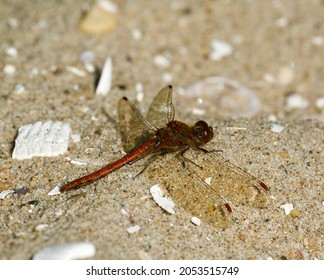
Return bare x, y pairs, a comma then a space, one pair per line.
41, 139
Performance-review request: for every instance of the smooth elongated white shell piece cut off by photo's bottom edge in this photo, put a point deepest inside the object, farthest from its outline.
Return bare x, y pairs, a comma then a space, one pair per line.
66, 251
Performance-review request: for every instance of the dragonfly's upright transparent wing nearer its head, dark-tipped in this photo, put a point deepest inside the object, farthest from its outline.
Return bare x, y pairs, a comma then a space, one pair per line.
161, 109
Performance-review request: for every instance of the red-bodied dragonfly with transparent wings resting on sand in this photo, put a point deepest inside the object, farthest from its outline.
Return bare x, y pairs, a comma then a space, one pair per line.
159, 134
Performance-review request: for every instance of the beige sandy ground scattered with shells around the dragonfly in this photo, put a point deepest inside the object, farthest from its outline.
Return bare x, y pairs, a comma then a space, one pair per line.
268, 37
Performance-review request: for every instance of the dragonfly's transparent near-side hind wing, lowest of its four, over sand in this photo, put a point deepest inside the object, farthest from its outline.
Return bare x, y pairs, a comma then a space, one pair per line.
188, 191
